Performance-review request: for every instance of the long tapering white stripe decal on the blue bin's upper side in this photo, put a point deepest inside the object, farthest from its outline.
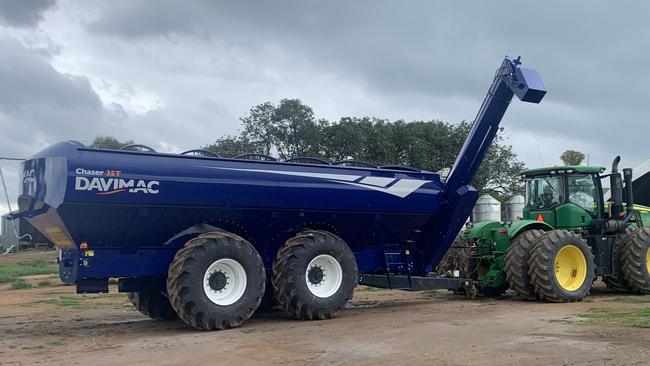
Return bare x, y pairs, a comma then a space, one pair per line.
401, 188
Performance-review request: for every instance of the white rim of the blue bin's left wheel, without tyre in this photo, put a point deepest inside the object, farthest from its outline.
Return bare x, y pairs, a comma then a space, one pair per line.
224, 282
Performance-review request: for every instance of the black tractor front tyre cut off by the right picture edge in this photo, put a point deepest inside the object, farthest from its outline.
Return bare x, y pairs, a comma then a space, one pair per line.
635, 259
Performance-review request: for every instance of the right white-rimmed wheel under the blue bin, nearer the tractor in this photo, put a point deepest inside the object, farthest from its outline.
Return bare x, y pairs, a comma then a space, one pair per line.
314, 275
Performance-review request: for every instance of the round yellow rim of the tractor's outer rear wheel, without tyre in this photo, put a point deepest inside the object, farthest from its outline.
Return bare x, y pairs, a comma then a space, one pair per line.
571, 268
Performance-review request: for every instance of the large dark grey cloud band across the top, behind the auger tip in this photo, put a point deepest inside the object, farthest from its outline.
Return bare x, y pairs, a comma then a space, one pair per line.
420, 47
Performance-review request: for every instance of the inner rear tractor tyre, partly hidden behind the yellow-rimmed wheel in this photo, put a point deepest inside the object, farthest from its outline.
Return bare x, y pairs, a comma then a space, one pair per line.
516, 264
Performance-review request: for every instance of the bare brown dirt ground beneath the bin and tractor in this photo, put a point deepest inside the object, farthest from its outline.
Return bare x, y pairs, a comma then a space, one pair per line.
52, 325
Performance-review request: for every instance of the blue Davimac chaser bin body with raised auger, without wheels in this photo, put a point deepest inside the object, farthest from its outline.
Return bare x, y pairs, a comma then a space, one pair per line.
125, 214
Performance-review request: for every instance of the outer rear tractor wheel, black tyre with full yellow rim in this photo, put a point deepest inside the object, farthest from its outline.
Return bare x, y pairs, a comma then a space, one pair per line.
561, 266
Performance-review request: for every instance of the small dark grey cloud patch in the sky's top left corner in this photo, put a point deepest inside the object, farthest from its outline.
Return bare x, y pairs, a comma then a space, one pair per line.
24, 13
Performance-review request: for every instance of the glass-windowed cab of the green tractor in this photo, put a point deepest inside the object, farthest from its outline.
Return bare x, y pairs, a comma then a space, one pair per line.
568, 197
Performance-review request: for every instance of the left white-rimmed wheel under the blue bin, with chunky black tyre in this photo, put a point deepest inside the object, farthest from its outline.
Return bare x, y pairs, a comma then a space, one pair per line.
201, 286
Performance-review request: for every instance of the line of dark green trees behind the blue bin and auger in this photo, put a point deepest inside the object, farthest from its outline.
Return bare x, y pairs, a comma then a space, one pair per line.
290, 129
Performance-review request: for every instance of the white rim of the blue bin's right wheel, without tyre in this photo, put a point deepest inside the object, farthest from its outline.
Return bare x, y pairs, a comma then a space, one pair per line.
326, 276
